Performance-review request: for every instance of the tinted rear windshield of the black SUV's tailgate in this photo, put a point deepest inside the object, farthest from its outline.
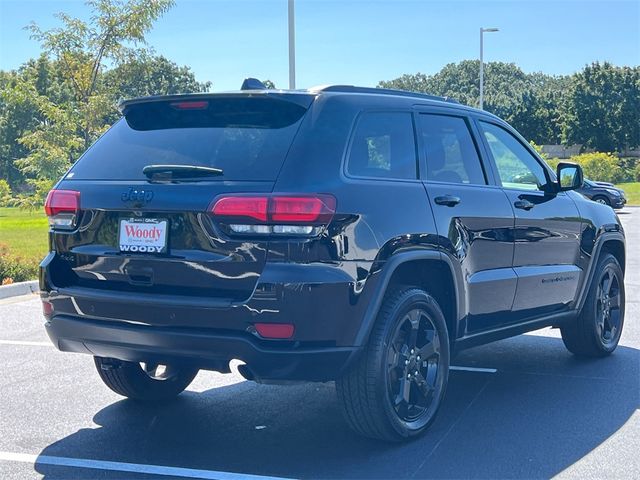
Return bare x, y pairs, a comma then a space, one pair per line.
247, 137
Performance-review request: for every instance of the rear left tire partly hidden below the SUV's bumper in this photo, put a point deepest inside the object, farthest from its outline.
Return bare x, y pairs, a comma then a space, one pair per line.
144, 382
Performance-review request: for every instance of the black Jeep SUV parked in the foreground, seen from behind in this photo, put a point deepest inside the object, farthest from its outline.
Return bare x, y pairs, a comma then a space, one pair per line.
341, 233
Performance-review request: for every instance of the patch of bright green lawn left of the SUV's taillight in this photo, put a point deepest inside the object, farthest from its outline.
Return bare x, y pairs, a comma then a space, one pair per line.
24, 232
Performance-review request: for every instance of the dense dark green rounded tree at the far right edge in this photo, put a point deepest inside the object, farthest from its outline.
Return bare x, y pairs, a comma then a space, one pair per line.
601, 108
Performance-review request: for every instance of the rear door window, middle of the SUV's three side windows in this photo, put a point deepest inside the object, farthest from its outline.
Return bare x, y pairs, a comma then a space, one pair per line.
451, 154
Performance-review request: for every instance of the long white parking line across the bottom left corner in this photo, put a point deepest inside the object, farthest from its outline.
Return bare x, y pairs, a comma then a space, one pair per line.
128, 467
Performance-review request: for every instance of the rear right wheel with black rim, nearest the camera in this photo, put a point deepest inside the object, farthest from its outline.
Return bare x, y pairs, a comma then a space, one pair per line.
372, 392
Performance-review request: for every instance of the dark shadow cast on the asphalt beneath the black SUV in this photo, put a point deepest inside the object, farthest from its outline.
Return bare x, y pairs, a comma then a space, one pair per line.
543, 411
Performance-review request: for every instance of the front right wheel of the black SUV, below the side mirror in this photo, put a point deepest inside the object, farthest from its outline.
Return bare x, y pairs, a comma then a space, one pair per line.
596, 332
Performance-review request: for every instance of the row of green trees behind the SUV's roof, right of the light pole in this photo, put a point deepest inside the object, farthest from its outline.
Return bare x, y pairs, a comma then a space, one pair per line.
598, 107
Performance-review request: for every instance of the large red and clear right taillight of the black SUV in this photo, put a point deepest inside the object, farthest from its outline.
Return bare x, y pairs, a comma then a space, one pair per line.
297, 215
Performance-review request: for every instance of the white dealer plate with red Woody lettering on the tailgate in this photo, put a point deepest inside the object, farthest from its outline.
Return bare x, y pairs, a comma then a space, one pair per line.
143, 235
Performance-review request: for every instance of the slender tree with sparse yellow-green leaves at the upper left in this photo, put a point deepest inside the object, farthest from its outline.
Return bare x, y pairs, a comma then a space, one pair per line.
68, 121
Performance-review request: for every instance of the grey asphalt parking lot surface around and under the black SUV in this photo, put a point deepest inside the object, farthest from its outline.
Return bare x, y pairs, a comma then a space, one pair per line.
525, 408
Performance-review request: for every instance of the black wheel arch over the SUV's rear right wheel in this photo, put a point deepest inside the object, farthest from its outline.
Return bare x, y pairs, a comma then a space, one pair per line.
429, 270
